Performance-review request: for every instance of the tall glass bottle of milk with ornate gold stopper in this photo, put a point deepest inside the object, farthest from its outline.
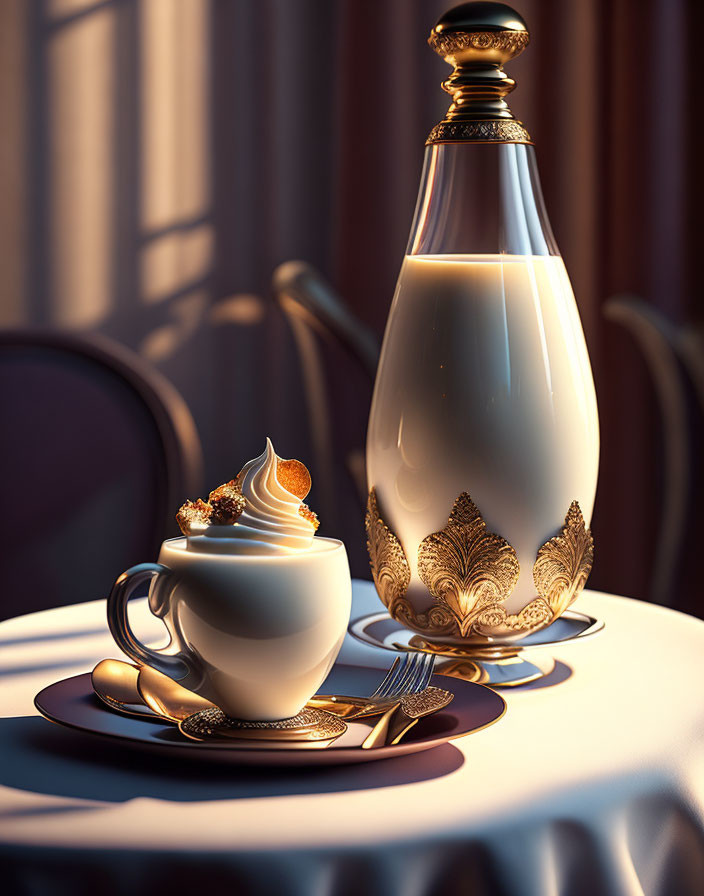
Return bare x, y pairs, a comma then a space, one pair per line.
484, 386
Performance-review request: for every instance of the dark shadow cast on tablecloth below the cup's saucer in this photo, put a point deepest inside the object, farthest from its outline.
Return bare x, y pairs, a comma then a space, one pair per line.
39, 757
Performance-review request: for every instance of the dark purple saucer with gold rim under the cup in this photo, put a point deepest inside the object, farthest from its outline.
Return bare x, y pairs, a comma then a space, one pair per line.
72, 703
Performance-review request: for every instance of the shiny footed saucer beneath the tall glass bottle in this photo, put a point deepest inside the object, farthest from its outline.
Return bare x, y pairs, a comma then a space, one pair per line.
496, 665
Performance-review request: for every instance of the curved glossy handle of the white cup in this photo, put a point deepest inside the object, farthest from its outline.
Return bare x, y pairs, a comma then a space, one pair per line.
175, 665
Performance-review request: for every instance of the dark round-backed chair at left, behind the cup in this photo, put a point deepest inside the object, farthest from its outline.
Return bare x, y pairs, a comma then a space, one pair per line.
98, 452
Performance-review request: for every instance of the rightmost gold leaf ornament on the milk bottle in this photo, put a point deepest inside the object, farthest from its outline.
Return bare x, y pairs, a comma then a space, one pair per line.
563, 564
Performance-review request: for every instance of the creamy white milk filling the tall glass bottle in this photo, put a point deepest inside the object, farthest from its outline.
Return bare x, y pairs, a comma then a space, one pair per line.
484, 386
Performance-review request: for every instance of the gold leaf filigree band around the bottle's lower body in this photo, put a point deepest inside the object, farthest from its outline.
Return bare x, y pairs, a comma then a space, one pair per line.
470, 573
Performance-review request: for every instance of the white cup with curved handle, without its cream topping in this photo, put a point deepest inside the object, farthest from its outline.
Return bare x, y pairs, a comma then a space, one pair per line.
255, 635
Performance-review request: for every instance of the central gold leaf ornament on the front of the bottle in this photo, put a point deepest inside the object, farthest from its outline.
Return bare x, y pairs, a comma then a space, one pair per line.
466, 568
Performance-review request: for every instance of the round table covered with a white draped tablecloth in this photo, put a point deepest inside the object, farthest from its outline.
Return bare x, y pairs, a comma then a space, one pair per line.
593, 782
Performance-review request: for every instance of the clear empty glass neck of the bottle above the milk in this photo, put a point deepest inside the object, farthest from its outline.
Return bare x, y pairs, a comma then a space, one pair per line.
479, 199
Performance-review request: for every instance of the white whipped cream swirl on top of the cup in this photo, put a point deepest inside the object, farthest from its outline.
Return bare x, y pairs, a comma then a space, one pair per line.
269, 524
